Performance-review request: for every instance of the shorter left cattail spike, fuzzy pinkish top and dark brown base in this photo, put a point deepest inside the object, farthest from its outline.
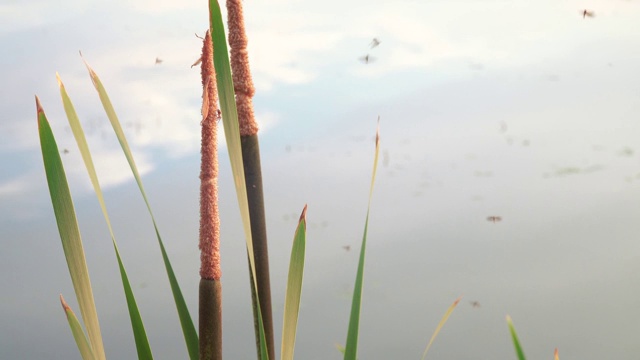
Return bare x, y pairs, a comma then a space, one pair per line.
210, 300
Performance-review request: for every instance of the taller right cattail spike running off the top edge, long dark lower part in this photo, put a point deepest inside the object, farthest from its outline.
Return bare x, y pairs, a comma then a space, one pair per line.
244, 91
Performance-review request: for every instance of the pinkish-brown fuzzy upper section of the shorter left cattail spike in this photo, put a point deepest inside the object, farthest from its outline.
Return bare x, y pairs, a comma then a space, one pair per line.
209, 216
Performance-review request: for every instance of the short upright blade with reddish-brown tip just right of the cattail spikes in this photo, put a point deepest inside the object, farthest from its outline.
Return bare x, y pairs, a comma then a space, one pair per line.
294, 289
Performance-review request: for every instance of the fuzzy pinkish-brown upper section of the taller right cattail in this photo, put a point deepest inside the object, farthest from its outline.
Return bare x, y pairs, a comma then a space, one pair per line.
242, 82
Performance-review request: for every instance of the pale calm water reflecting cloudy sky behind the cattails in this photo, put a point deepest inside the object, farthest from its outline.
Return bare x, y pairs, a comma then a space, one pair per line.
525, 111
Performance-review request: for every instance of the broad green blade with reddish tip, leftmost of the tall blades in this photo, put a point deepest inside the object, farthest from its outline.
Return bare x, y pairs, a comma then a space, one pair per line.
69, 232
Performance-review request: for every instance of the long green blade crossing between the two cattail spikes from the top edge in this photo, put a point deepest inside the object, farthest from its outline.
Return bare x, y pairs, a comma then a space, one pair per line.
226, 96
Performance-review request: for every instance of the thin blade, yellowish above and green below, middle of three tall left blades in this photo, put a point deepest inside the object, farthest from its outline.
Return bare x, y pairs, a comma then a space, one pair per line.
142, 343
